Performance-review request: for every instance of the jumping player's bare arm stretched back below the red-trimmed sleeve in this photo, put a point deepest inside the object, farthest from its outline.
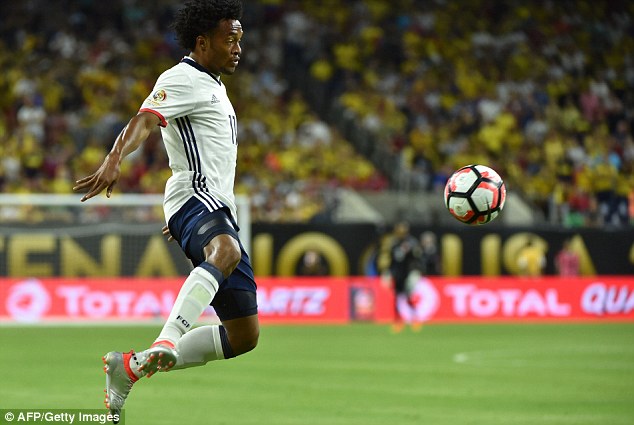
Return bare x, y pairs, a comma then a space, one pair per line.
130, 138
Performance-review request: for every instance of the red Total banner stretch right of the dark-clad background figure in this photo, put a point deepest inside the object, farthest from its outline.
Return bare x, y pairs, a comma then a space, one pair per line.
468, 299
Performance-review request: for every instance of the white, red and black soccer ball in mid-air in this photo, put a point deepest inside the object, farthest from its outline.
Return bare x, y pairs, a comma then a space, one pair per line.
475, 194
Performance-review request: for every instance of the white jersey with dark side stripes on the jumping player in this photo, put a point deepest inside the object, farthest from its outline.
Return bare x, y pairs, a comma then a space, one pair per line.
199, 129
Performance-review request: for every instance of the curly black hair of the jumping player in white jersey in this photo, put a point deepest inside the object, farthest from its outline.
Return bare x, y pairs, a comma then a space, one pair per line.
198, 17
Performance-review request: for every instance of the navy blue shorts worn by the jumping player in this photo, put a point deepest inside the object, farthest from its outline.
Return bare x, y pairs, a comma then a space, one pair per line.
193, 226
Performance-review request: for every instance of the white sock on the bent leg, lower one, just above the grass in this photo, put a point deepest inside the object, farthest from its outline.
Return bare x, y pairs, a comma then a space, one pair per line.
199, 346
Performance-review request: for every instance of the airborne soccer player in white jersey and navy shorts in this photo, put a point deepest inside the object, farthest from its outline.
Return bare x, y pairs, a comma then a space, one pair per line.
198, 126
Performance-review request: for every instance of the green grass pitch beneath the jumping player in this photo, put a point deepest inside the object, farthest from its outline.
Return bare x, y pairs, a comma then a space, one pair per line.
358, 374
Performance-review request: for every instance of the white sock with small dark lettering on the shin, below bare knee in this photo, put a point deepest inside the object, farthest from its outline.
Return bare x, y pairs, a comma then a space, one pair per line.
199, 289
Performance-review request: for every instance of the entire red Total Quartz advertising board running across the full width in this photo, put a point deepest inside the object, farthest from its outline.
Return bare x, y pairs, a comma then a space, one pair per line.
330, 299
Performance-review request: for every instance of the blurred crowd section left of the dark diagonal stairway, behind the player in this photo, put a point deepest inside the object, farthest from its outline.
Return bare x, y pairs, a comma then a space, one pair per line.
74, 72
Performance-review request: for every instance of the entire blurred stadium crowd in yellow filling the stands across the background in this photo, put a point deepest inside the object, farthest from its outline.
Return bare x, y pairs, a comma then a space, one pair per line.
541, 91
